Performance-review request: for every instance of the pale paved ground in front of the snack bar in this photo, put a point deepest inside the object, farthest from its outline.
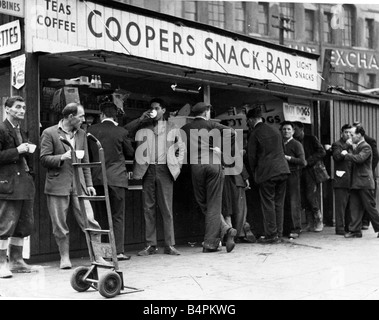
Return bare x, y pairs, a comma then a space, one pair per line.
315, 266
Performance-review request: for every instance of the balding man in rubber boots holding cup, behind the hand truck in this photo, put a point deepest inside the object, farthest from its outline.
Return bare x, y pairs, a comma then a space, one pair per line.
56, 157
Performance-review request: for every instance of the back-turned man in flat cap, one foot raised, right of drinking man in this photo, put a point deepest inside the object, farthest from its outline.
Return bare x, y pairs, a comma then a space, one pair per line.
204, 157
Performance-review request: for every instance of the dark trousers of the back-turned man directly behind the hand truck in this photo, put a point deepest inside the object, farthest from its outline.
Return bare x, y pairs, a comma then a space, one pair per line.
117, 202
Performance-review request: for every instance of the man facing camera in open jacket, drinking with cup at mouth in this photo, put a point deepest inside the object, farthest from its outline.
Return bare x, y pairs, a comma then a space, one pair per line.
161, 141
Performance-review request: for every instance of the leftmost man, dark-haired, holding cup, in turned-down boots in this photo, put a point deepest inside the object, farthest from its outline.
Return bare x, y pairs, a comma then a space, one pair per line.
16, 189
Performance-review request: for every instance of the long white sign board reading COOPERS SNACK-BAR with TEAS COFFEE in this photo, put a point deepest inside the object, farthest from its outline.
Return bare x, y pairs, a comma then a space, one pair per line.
62, 26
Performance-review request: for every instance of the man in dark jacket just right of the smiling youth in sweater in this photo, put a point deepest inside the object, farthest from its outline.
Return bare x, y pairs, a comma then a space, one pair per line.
314, 152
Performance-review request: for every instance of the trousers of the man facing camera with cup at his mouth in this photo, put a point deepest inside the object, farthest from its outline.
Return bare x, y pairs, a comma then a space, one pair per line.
158, 185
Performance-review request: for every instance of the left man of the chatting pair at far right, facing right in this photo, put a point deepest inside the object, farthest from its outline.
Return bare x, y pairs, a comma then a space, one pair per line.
342, 179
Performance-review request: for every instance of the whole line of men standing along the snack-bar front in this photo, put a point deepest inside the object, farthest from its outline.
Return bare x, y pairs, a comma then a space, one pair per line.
281, 163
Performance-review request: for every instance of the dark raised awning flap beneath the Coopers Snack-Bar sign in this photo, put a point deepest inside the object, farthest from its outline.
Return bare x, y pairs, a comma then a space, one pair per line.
123, 65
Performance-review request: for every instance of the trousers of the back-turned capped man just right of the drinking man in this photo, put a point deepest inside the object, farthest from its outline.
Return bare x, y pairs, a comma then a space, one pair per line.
208, 182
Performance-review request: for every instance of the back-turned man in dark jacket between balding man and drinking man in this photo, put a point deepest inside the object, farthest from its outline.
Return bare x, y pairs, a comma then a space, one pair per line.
117, 147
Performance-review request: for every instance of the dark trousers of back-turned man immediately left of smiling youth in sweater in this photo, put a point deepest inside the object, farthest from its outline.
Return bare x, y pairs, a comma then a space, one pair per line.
272, 194
